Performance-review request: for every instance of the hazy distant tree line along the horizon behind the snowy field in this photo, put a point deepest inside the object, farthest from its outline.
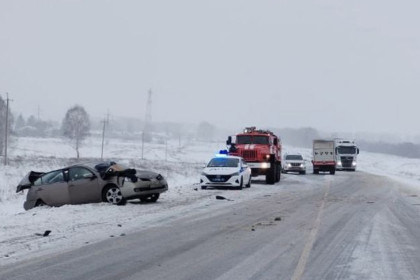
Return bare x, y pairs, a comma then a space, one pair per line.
76, 126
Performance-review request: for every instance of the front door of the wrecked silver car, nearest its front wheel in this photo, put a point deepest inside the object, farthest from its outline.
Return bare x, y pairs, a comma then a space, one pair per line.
83, 186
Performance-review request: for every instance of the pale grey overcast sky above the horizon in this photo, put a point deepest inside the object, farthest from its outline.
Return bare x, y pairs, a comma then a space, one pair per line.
333, 65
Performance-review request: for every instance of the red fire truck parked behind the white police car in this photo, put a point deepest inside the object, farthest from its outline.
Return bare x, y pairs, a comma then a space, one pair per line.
261, 149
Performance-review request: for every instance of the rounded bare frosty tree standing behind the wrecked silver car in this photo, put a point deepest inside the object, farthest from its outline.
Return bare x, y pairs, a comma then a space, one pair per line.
76, 126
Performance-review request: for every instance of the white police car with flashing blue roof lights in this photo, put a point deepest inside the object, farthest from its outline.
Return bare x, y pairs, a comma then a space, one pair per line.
226, 171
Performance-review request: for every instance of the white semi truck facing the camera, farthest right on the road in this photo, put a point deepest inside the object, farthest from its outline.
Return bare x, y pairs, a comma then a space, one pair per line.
346, 152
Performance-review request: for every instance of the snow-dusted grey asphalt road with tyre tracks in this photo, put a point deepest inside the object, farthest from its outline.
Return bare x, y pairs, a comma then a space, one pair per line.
346, 226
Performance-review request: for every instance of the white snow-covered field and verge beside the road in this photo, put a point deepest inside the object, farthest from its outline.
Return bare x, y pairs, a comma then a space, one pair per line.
181, 163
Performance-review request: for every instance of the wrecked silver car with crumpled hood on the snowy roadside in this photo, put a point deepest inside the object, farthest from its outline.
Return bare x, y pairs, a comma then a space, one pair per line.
87, 183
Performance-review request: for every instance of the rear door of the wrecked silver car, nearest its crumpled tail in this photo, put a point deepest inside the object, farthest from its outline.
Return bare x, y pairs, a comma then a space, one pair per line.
52, 188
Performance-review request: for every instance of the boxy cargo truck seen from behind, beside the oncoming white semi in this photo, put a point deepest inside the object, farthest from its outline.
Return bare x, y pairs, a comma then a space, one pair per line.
323, 156
